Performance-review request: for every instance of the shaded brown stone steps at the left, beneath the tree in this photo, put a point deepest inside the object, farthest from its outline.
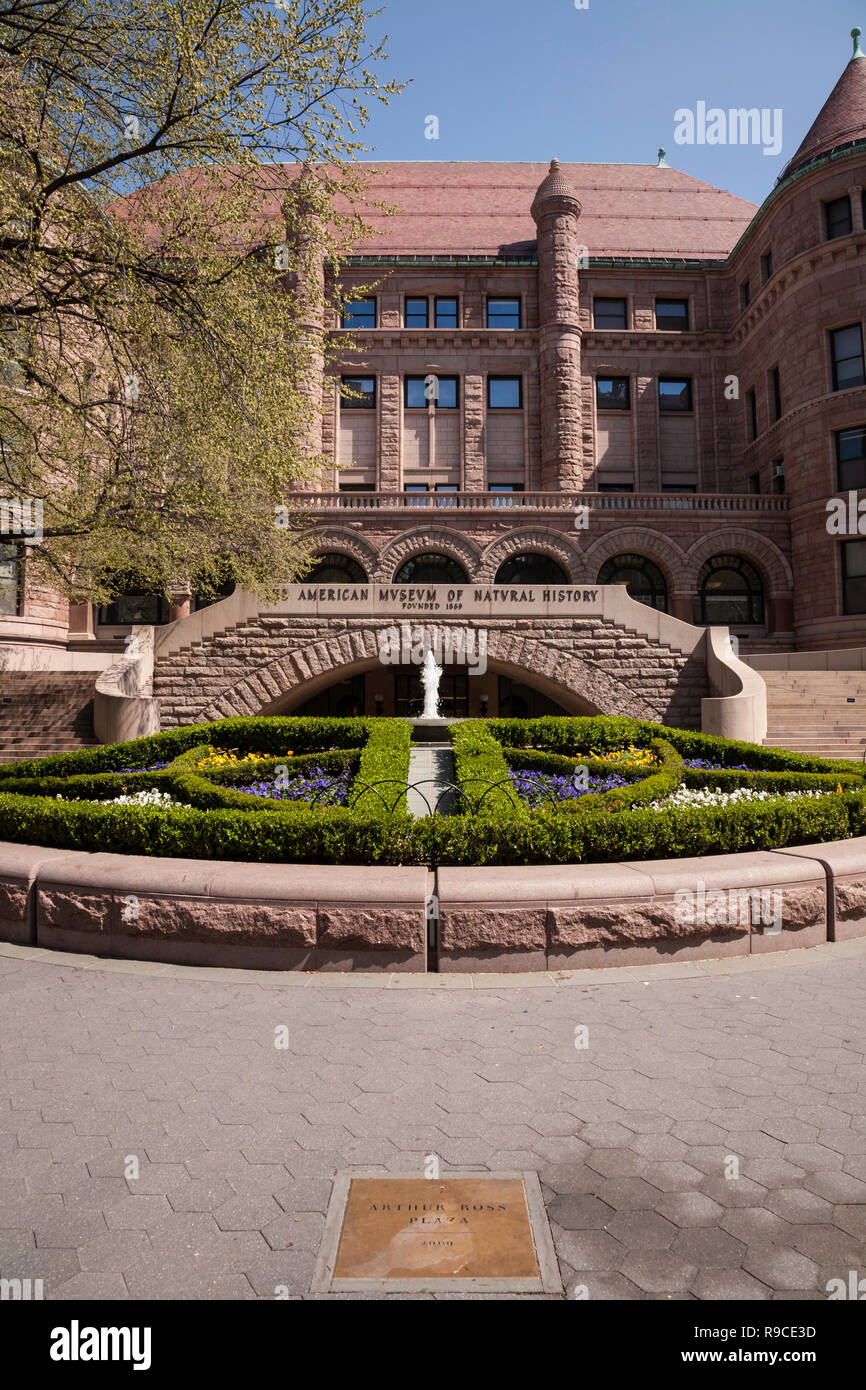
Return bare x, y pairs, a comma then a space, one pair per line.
45, 712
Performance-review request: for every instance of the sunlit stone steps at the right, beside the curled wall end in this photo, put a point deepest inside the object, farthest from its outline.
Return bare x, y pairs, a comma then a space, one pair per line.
818, 712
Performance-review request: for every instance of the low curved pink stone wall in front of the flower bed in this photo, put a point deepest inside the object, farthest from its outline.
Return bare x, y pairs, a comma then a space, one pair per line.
326, 918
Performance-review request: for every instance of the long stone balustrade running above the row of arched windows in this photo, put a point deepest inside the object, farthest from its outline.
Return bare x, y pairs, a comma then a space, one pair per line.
550, 502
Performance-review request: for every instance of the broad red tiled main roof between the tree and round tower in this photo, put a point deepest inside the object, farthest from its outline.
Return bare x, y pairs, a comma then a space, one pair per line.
484, 211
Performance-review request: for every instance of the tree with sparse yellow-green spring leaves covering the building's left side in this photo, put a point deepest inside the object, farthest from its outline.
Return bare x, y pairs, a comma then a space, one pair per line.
162, 287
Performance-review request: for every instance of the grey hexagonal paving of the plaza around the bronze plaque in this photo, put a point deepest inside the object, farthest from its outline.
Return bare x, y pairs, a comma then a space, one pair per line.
238, 1149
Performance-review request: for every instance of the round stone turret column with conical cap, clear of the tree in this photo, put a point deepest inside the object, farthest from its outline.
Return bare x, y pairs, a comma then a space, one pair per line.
557, 211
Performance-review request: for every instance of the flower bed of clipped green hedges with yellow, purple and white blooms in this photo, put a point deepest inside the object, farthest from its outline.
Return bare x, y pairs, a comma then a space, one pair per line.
333, 792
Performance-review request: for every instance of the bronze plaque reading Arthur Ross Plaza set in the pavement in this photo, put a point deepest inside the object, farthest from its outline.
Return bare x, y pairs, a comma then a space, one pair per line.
418, 1228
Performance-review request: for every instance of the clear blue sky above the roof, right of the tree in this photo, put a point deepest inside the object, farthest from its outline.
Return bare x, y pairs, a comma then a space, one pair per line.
529, 80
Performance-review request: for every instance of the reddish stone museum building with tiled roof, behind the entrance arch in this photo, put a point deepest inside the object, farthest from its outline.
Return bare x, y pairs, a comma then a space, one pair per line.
593, 375
